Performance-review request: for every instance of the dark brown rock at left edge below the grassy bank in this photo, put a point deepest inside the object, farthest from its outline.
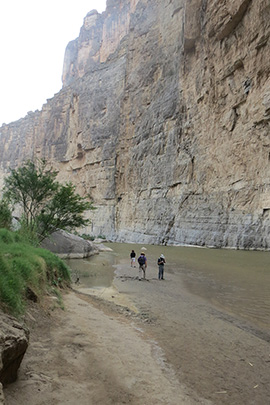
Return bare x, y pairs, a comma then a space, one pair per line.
14, 340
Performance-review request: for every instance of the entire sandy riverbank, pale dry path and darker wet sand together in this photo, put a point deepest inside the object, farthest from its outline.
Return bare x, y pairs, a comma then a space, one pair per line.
148, 342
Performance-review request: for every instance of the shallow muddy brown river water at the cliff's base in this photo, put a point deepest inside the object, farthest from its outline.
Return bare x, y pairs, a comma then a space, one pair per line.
237, 282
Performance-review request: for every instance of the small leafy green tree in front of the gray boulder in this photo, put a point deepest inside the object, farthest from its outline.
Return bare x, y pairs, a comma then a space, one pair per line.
47, 205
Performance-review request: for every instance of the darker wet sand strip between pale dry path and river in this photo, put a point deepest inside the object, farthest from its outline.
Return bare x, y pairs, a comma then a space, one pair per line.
216, 355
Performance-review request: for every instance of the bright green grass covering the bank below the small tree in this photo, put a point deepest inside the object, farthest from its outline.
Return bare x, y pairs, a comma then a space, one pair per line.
25, 268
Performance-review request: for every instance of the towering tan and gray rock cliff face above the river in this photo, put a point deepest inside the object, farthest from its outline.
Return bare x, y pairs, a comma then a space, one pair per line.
164, 120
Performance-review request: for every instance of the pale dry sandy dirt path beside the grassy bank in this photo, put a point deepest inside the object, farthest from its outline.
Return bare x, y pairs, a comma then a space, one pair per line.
92, 356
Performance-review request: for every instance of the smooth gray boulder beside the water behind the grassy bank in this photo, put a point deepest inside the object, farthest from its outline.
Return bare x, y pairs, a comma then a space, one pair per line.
69, 246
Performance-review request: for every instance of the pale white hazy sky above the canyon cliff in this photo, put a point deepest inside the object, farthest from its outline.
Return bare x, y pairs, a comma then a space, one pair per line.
33, 38
